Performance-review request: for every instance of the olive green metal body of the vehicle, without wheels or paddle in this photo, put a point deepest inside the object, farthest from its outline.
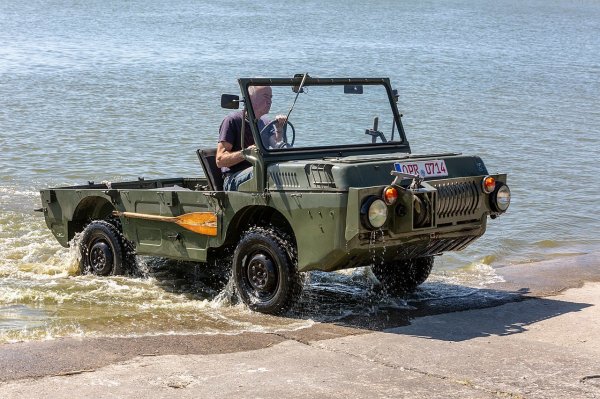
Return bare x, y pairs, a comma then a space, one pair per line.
316, 196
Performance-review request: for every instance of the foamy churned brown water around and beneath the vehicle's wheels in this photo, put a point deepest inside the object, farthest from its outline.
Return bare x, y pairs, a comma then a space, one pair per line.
43, 295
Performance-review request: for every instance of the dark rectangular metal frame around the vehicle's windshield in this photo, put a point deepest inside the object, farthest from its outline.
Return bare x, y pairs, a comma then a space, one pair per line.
399, 145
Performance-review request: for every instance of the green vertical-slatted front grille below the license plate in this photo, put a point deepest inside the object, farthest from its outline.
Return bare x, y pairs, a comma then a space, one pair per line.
457, 199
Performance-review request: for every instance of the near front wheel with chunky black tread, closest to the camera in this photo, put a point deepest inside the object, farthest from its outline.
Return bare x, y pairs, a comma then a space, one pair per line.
265, 271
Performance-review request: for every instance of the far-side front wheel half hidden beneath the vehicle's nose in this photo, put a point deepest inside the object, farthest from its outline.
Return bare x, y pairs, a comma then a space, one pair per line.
403, 276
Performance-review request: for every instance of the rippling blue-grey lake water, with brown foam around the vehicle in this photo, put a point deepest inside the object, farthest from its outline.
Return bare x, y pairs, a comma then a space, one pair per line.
112, 90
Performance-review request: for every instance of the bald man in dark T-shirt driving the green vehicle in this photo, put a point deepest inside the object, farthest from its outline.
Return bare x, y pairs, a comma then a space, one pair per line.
229, 158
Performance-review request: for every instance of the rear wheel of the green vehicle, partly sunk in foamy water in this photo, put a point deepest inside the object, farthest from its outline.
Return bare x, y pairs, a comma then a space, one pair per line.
101, 248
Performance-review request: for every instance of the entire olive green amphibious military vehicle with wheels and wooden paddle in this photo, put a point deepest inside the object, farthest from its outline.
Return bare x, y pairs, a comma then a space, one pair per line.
342, 189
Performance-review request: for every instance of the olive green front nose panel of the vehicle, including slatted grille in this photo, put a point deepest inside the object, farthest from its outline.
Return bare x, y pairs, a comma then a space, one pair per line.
440, 216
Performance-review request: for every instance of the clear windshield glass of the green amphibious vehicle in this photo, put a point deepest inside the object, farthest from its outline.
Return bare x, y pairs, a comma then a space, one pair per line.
328, 116
